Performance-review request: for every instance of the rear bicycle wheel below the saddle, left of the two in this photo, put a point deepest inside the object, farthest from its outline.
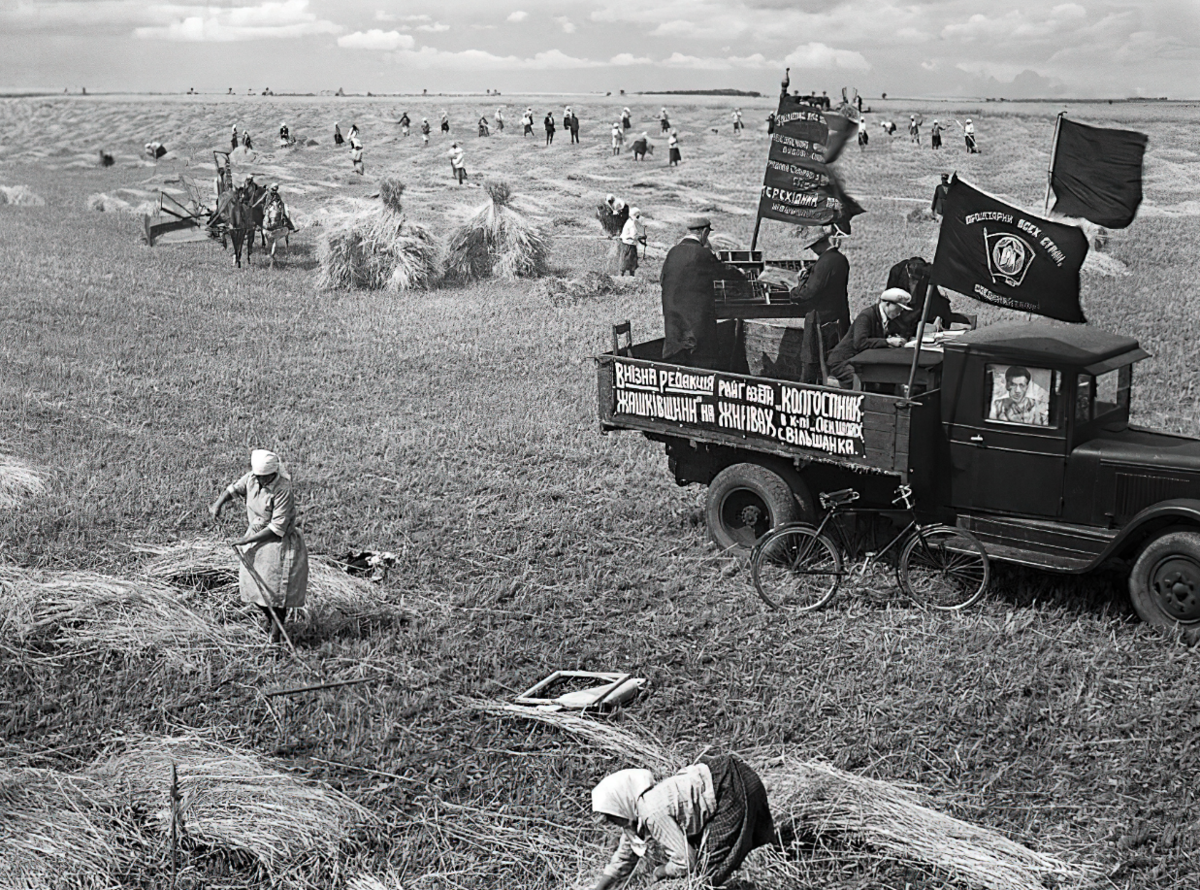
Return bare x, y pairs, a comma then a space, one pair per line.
795, 569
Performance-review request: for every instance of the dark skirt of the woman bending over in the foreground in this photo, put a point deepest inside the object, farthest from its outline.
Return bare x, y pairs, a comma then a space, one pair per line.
742, 821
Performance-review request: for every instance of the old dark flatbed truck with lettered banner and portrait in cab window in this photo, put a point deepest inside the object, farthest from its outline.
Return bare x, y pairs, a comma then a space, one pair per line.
1018, 434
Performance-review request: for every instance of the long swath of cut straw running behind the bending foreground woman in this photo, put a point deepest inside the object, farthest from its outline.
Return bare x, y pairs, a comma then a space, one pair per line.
826, 809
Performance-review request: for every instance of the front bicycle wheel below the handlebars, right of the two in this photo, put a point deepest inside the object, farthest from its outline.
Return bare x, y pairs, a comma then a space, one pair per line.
945, 568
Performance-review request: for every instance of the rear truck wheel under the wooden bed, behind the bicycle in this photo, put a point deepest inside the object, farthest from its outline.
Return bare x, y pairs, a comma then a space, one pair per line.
745, 503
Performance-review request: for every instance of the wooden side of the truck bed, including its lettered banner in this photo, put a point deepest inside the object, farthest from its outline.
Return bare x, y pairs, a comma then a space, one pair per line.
866, 431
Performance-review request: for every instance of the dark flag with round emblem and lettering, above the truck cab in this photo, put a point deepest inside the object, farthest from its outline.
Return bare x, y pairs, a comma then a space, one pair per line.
1000, 255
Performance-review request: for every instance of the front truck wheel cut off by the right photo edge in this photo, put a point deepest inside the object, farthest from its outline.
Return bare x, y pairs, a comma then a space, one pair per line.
1165, 585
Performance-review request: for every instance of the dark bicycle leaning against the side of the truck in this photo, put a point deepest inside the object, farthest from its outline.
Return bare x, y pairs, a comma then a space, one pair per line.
799, 568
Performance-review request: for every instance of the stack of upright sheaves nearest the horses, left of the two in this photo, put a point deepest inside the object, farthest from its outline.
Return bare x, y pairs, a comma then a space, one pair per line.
379, 250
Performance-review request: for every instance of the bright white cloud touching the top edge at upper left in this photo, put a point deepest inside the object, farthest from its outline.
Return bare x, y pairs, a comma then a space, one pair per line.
284, 19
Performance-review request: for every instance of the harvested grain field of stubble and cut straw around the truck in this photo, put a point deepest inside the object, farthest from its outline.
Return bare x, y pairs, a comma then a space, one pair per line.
1045, 738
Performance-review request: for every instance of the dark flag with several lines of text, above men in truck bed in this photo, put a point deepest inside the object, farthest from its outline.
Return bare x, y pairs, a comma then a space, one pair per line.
800, 187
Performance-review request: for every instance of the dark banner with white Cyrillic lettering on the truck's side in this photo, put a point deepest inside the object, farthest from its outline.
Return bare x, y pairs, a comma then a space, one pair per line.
775, 411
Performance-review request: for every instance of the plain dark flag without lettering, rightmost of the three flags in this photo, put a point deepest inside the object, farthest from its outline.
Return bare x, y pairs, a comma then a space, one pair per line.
1097, 173
